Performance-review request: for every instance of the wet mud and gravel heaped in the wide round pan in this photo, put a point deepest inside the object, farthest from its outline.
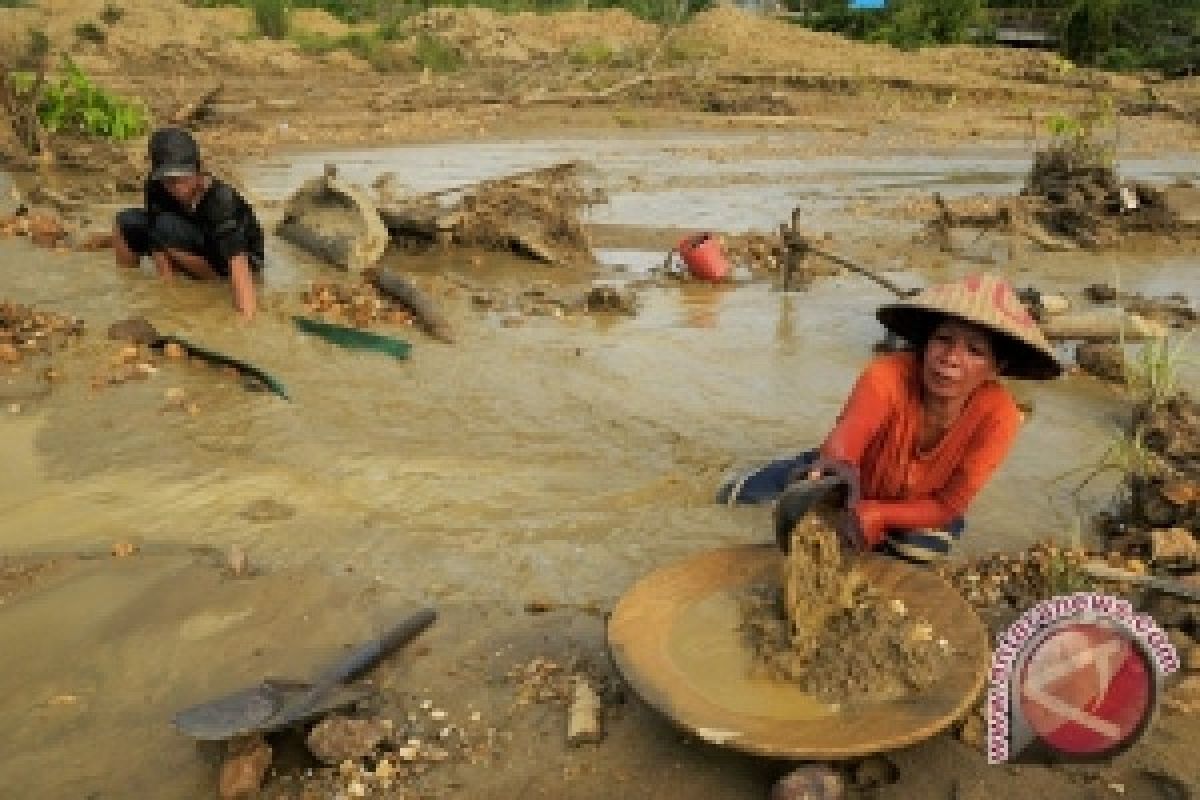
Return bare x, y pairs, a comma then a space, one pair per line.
825, 629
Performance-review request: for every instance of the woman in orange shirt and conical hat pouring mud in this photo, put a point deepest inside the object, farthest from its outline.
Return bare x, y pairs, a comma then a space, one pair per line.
925, 429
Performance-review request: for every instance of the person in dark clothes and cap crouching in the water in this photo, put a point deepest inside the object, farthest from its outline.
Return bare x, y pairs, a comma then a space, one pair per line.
191, 222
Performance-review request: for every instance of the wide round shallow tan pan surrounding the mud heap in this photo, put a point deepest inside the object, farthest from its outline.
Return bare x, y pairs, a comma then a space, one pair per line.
674, 637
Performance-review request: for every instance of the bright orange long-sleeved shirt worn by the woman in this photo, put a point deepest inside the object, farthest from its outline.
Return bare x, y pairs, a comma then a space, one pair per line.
879, 430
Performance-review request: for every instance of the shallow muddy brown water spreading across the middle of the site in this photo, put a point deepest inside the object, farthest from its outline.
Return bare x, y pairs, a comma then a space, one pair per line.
562, 459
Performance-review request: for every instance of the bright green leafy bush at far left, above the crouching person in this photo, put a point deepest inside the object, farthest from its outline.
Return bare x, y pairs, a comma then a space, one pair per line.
75, 105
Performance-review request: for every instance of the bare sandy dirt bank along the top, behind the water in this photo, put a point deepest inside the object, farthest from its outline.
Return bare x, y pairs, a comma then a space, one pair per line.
604, 69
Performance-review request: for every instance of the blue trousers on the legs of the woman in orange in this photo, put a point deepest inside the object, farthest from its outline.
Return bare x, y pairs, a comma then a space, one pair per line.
764, 484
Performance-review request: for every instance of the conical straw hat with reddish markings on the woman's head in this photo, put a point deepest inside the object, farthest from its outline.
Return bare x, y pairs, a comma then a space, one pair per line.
985, 300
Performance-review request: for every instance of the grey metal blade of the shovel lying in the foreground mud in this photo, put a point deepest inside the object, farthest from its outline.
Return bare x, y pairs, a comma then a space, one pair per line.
251, 711
